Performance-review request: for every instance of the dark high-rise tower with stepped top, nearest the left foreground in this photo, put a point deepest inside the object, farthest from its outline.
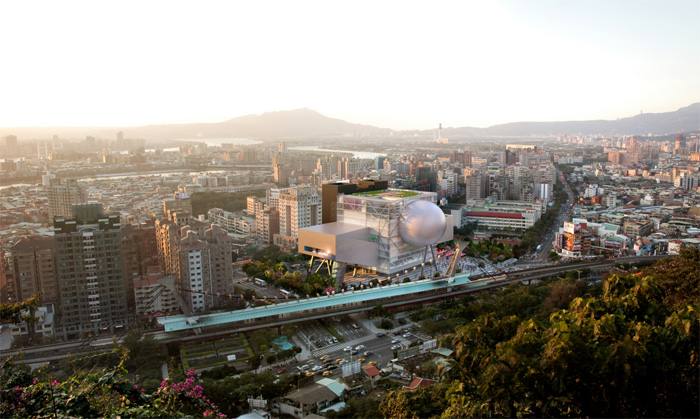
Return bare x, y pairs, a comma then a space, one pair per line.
90, 272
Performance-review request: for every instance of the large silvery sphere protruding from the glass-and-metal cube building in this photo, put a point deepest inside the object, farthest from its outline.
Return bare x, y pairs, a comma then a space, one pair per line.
422, 223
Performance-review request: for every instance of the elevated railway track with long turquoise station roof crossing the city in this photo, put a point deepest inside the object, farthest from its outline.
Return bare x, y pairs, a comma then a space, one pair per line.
402, 295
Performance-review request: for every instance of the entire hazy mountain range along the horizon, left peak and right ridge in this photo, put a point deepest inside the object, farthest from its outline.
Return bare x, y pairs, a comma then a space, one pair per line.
307, 124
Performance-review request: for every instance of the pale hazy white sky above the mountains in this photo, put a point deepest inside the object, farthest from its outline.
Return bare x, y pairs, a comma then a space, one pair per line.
395, 64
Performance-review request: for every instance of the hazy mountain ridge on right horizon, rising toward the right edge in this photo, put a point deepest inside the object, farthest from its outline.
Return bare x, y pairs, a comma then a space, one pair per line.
683, 120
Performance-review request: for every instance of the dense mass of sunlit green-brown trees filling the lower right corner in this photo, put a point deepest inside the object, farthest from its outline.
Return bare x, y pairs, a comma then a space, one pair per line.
625, 351
